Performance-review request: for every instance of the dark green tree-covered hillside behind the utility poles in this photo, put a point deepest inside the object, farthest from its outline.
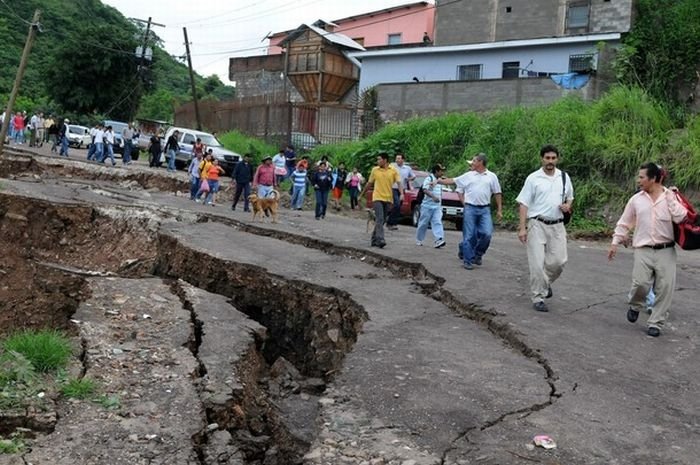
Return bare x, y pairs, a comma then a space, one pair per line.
83, 64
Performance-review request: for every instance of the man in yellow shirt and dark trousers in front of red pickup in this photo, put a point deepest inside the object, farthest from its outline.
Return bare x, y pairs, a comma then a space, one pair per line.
381, 180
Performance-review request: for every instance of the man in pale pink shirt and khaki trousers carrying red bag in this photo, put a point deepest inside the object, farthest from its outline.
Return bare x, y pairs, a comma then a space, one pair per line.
650, 213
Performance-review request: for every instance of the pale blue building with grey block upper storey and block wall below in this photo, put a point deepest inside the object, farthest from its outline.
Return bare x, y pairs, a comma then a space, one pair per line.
495, 53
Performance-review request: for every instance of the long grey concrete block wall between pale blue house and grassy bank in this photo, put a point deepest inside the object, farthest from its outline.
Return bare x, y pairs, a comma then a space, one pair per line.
398, 102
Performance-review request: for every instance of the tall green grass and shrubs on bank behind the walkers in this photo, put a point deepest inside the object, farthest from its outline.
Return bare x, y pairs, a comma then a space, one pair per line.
602, 145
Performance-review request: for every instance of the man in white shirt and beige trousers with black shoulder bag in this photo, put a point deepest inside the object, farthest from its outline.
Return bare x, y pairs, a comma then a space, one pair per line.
545, 197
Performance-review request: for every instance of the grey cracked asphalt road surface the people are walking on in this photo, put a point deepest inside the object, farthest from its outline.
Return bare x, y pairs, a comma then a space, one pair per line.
466, 372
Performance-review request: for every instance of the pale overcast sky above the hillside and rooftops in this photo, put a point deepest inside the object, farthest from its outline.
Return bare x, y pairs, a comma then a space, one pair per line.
220, 29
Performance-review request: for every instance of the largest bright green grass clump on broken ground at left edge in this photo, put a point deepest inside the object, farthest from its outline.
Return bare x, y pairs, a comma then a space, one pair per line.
47, 350
